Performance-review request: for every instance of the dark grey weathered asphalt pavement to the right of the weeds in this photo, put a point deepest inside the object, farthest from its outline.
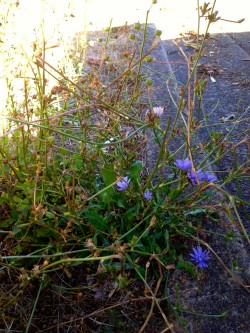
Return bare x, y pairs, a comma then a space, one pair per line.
226, 108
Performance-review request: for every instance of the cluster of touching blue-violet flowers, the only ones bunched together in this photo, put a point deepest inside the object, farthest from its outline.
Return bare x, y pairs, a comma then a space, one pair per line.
196, 176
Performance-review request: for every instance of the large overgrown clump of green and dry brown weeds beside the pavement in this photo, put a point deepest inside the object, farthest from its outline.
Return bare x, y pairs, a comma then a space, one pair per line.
83, 212
